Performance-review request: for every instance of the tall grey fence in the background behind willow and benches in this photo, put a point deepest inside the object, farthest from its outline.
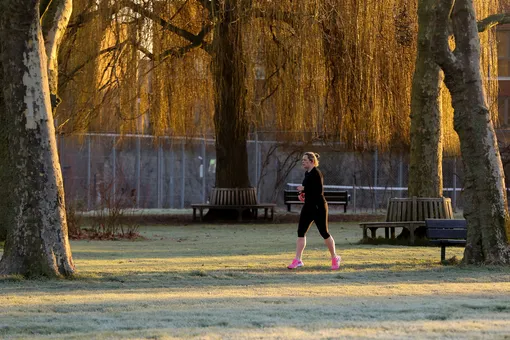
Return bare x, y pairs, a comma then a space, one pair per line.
162, 172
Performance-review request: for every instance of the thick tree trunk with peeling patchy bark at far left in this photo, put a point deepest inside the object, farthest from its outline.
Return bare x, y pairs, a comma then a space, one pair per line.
37, 242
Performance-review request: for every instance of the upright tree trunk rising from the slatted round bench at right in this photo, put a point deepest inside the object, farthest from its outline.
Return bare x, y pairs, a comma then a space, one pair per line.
426, 157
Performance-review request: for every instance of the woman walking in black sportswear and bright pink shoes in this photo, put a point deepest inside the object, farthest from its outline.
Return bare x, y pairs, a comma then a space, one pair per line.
315, 210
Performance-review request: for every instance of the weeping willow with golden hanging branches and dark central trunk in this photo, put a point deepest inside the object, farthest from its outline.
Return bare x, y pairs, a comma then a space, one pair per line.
340, 69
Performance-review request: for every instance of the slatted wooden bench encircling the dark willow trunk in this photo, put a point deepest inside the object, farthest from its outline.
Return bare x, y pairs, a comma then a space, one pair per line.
238, 199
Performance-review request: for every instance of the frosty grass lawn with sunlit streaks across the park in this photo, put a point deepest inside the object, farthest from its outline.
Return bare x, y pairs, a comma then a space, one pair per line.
231, 282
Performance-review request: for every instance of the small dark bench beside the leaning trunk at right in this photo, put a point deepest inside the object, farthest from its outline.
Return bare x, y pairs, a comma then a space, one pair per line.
446, 233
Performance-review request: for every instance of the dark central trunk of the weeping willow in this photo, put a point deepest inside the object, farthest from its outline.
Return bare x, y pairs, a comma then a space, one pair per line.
230, 120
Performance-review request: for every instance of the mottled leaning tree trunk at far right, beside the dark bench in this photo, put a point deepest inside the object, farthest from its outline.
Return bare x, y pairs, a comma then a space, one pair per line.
485, 207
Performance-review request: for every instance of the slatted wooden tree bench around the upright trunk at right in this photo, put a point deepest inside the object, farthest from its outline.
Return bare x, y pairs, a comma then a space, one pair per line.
409, 213
